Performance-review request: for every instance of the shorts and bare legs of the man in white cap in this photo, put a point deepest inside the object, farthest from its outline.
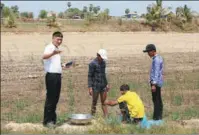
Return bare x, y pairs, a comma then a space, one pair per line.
95, 96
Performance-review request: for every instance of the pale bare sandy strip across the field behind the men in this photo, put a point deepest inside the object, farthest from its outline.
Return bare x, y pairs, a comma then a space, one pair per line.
87, 44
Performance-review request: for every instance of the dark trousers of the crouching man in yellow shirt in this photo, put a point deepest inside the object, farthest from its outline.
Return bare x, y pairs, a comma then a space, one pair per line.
126, 116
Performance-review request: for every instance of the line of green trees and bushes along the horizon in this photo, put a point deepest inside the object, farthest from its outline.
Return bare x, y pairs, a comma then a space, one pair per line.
156, 14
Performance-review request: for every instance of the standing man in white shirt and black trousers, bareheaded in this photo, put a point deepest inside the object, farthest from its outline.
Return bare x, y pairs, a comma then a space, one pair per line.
53, 69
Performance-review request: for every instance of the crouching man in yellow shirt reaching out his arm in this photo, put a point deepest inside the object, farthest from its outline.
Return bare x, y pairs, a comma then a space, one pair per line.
130, 104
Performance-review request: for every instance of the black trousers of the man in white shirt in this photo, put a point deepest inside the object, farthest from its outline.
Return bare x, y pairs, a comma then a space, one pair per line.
53, 87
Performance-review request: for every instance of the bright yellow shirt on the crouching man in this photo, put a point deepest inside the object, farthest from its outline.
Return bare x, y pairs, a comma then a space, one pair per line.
134, 104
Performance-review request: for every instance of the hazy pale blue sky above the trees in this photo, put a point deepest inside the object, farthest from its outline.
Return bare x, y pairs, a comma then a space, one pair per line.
117, 8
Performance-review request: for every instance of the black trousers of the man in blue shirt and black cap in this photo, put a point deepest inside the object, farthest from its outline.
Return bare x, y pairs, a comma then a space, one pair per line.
158, 105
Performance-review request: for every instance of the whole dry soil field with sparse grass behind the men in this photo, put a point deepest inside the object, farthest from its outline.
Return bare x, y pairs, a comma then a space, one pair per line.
22, 75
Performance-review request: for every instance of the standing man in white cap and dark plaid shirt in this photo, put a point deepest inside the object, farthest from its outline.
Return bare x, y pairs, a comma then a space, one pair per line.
97, 82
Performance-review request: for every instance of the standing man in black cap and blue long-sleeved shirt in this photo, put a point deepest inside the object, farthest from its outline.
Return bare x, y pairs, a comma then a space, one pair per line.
156, 80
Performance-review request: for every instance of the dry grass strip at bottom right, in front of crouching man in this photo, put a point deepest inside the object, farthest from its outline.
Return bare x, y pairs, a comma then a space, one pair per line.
112, 126
